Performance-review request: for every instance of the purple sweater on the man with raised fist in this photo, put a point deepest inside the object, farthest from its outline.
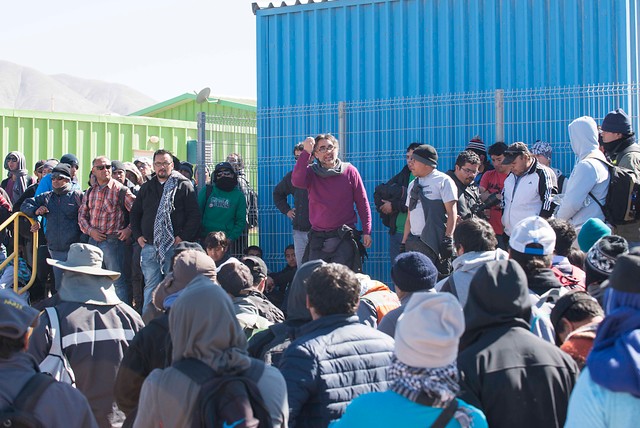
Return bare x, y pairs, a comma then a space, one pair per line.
331, 199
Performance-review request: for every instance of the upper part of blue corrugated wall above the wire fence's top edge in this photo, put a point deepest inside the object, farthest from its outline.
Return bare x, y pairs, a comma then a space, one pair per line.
366, 49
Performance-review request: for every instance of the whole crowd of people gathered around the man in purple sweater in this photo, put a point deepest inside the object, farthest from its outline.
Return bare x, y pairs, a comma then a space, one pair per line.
512, 303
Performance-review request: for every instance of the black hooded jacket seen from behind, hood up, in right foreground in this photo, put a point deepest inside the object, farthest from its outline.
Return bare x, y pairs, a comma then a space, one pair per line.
516, 378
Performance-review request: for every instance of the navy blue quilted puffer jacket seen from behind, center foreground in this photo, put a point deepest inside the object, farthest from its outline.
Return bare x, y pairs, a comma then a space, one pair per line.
333, 360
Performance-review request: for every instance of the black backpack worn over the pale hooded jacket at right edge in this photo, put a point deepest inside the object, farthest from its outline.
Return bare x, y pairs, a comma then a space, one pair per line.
622, 205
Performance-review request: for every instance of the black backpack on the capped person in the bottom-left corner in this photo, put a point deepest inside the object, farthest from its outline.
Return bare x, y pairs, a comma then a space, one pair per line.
20, 414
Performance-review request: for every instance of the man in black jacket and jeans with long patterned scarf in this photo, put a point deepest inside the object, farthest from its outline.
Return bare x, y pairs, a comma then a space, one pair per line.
164, 214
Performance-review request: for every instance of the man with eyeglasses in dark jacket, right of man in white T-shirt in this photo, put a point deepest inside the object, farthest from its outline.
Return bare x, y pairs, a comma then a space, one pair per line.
463, 175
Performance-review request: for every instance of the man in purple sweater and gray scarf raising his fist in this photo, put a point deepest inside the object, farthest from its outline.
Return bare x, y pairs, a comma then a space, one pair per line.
334, 186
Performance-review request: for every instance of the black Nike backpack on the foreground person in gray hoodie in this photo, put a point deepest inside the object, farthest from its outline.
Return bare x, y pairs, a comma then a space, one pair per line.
228, 400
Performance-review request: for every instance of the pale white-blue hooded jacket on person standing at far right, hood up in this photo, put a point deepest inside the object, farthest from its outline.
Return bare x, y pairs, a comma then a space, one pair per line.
590, 174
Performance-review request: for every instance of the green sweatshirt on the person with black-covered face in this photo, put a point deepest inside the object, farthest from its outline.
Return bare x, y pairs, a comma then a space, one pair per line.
223, 211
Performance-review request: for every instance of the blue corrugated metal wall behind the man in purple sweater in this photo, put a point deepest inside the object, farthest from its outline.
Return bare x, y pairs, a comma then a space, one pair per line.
381, 57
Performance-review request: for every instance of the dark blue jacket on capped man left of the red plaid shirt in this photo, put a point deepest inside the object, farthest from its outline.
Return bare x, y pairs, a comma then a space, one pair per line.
62, 219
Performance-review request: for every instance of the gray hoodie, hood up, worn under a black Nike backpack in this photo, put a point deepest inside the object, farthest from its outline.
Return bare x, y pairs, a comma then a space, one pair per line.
203, 325
